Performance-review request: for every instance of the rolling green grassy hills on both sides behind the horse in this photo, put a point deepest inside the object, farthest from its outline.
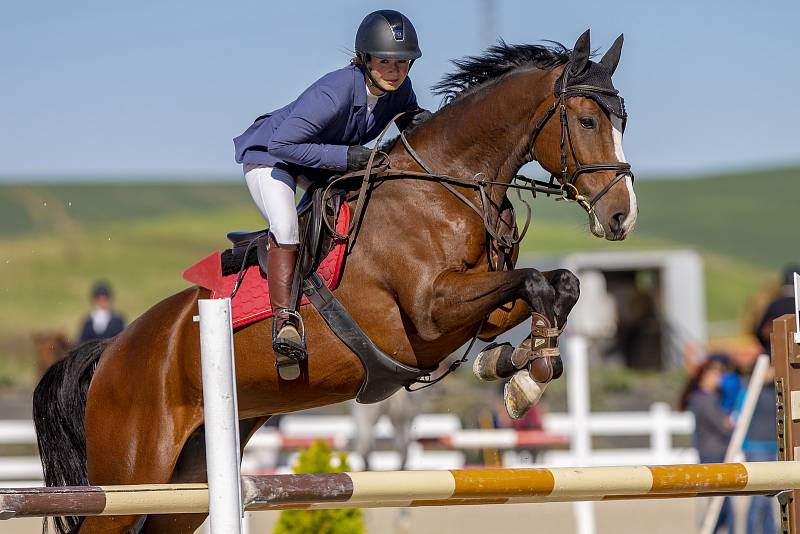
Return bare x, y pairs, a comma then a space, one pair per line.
56, 239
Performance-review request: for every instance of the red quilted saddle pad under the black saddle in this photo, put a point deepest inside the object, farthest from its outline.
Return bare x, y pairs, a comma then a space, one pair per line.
251, 302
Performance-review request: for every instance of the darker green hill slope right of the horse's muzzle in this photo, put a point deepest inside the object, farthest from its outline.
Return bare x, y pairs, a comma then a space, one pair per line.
746, 216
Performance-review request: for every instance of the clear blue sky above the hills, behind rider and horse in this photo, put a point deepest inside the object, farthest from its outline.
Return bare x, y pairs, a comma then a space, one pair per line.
100, 89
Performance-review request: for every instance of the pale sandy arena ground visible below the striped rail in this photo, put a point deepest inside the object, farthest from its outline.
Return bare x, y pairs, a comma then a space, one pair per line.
669, 516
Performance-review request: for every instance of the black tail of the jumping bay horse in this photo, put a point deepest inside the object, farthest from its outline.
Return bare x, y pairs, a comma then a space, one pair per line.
59, 402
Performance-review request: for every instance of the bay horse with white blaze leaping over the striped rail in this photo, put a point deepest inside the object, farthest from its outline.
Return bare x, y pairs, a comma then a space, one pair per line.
417, 280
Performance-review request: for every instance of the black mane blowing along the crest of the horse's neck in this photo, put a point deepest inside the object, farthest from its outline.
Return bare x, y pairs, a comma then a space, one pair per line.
499, 59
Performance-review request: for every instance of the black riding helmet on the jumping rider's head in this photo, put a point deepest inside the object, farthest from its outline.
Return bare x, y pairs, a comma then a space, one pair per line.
387, 34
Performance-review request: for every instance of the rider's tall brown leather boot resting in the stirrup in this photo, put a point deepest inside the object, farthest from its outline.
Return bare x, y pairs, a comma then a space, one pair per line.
288, 339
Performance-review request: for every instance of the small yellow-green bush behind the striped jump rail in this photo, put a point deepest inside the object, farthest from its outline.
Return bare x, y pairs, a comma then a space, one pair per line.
317, 459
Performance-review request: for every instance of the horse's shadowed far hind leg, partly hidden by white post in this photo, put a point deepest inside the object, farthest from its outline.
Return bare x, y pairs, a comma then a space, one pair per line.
191, 467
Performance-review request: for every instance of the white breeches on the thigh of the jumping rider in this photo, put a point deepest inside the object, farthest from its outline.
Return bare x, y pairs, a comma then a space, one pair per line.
273, 191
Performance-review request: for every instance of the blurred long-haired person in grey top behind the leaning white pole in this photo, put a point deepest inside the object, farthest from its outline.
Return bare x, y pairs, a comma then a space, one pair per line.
712, 430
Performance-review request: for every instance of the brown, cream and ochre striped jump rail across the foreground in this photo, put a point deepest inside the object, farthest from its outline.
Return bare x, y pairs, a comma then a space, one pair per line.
415, 488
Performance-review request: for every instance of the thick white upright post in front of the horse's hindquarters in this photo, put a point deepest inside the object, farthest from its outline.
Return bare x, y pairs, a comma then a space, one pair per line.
221, 420
